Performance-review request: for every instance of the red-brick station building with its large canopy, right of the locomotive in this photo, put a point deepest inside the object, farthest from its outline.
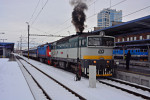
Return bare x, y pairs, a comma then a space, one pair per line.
131, 34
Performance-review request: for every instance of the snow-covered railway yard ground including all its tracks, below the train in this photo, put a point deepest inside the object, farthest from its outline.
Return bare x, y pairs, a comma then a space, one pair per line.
33, 80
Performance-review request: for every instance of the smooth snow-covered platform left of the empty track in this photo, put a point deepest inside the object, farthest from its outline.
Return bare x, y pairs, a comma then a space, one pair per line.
13, 85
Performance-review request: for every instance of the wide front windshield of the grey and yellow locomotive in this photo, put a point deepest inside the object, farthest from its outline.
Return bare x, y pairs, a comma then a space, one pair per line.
100, 41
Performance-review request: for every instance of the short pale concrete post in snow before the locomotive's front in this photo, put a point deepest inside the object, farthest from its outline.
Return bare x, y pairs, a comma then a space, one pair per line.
92, 76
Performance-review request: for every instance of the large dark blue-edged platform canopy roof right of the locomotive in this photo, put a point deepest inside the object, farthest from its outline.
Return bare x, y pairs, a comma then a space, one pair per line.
136, 25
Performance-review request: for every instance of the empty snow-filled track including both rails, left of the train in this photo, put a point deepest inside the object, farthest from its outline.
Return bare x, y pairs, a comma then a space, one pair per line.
48, 83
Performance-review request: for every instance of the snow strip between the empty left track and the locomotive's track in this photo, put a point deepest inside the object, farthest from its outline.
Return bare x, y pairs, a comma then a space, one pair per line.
101, 91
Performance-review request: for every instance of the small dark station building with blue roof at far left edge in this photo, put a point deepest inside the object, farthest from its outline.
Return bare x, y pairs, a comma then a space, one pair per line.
6, 49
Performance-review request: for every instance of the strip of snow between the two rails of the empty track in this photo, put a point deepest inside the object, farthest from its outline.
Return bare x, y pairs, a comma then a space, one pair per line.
53, 89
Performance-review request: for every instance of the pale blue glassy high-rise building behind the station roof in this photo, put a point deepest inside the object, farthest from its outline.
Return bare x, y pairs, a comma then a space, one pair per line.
107, 16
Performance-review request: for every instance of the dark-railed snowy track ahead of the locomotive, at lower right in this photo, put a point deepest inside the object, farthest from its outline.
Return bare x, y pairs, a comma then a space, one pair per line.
128, 87
